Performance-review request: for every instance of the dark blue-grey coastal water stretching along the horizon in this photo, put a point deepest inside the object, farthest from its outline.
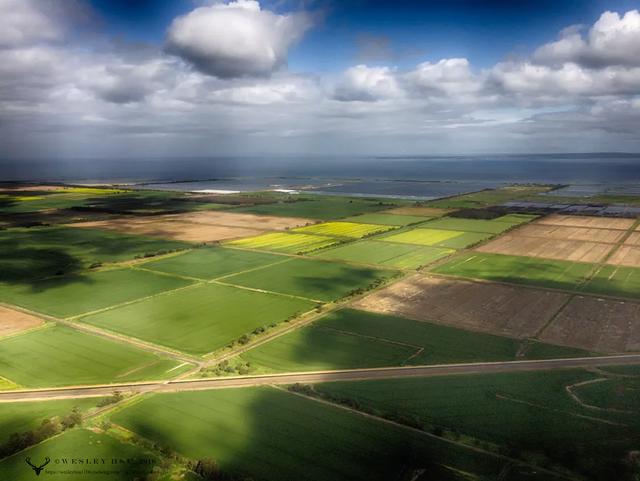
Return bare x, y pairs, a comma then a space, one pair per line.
422, 177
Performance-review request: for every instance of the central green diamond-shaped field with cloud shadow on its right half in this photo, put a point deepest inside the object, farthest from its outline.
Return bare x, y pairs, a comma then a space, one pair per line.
312, 279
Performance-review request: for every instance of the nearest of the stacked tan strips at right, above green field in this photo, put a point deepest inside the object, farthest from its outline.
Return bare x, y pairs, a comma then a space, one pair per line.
569, 250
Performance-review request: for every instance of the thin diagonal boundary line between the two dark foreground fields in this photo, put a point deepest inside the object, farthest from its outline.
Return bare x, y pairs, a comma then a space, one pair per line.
426, 434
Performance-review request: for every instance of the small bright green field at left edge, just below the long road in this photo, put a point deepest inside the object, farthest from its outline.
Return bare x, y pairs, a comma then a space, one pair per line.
17, 417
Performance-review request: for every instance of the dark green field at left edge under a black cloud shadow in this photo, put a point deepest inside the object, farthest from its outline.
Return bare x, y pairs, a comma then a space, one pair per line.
37, 252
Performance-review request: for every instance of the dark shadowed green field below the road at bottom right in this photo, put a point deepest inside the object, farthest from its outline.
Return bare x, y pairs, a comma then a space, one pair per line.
530, 412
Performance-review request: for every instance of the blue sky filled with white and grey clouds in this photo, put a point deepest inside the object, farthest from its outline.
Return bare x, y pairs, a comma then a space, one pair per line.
184, 78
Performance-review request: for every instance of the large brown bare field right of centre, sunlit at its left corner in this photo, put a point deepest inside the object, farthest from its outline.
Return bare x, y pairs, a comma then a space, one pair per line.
495, 308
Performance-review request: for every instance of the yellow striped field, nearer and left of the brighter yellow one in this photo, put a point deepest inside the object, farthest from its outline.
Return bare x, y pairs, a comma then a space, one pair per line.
285, 242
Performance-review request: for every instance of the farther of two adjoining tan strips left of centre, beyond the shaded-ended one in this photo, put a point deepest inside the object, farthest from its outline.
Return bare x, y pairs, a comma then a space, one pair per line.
250, 221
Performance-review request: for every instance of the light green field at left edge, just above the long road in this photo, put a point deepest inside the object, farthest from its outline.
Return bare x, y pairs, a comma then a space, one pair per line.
62, 356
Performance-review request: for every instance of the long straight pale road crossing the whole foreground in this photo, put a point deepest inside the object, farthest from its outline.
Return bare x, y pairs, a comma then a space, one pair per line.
322, 376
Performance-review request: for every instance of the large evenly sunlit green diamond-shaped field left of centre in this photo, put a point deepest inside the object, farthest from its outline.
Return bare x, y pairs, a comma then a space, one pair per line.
200, 319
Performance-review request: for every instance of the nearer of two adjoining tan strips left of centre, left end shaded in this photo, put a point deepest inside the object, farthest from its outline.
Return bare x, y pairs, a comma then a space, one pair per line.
184, 231
